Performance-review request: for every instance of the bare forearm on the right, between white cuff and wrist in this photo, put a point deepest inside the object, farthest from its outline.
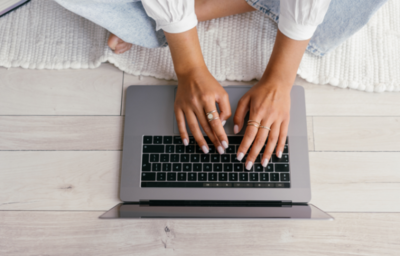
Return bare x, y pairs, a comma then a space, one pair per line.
285, 60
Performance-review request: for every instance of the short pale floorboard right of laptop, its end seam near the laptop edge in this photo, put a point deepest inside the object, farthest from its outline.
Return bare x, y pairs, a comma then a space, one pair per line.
357, 133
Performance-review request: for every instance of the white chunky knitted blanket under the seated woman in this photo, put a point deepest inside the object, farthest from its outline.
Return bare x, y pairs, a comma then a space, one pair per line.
43, 34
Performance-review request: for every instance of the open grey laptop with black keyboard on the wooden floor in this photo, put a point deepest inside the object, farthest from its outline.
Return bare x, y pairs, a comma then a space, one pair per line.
162, 178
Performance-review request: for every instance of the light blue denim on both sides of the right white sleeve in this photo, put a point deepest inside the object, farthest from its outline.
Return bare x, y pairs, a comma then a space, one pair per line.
343, 19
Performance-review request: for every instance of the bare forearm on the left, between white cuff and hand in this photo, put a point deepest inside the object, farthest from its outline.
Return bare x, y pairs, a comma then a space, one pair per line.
185, 51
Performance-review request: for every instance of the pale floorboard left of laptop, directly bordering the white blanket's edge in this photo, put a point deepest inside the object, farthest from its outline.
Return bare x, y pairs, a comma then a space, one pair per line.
64, 92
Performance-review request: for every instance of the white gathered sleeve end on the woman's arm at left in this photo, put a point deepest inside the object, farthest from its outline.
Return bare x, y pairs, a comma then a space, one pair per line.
172, 16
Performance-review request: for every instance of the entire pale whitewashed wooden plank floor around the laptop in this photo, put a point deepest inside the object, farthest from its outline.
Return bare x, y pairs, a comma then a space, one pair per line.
60, 153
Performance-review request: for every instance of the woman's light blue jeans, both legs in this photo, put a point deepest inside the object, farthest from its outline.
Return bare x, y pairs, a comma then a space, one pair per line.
128, 20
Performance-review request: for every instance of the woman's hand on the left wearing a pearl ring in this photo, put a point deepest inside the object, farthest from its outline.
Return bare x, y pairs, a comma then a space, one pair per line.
197, 94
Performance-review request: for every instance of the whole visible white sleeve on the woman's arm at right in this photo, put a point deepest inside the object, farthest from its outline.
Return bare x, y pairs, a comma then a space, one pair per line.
298, 19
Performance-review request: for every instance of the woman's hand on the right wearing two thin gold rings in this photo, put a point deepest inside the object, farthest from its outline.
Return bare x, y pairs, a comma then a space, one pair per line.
269, 105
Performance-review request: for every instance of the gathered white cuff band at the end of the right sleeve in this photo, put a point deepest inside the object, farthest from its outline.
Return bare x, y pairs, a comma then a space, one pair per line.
294, 30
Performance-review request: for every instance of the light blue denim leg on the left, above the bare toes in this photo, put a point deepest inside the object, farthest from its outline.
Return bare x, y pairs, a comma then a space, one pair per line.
127, 19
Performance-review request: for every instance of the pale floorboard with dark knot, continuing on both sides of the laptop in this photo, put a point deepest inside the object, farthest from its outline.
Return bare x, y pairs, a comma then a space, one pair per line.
89, 180
